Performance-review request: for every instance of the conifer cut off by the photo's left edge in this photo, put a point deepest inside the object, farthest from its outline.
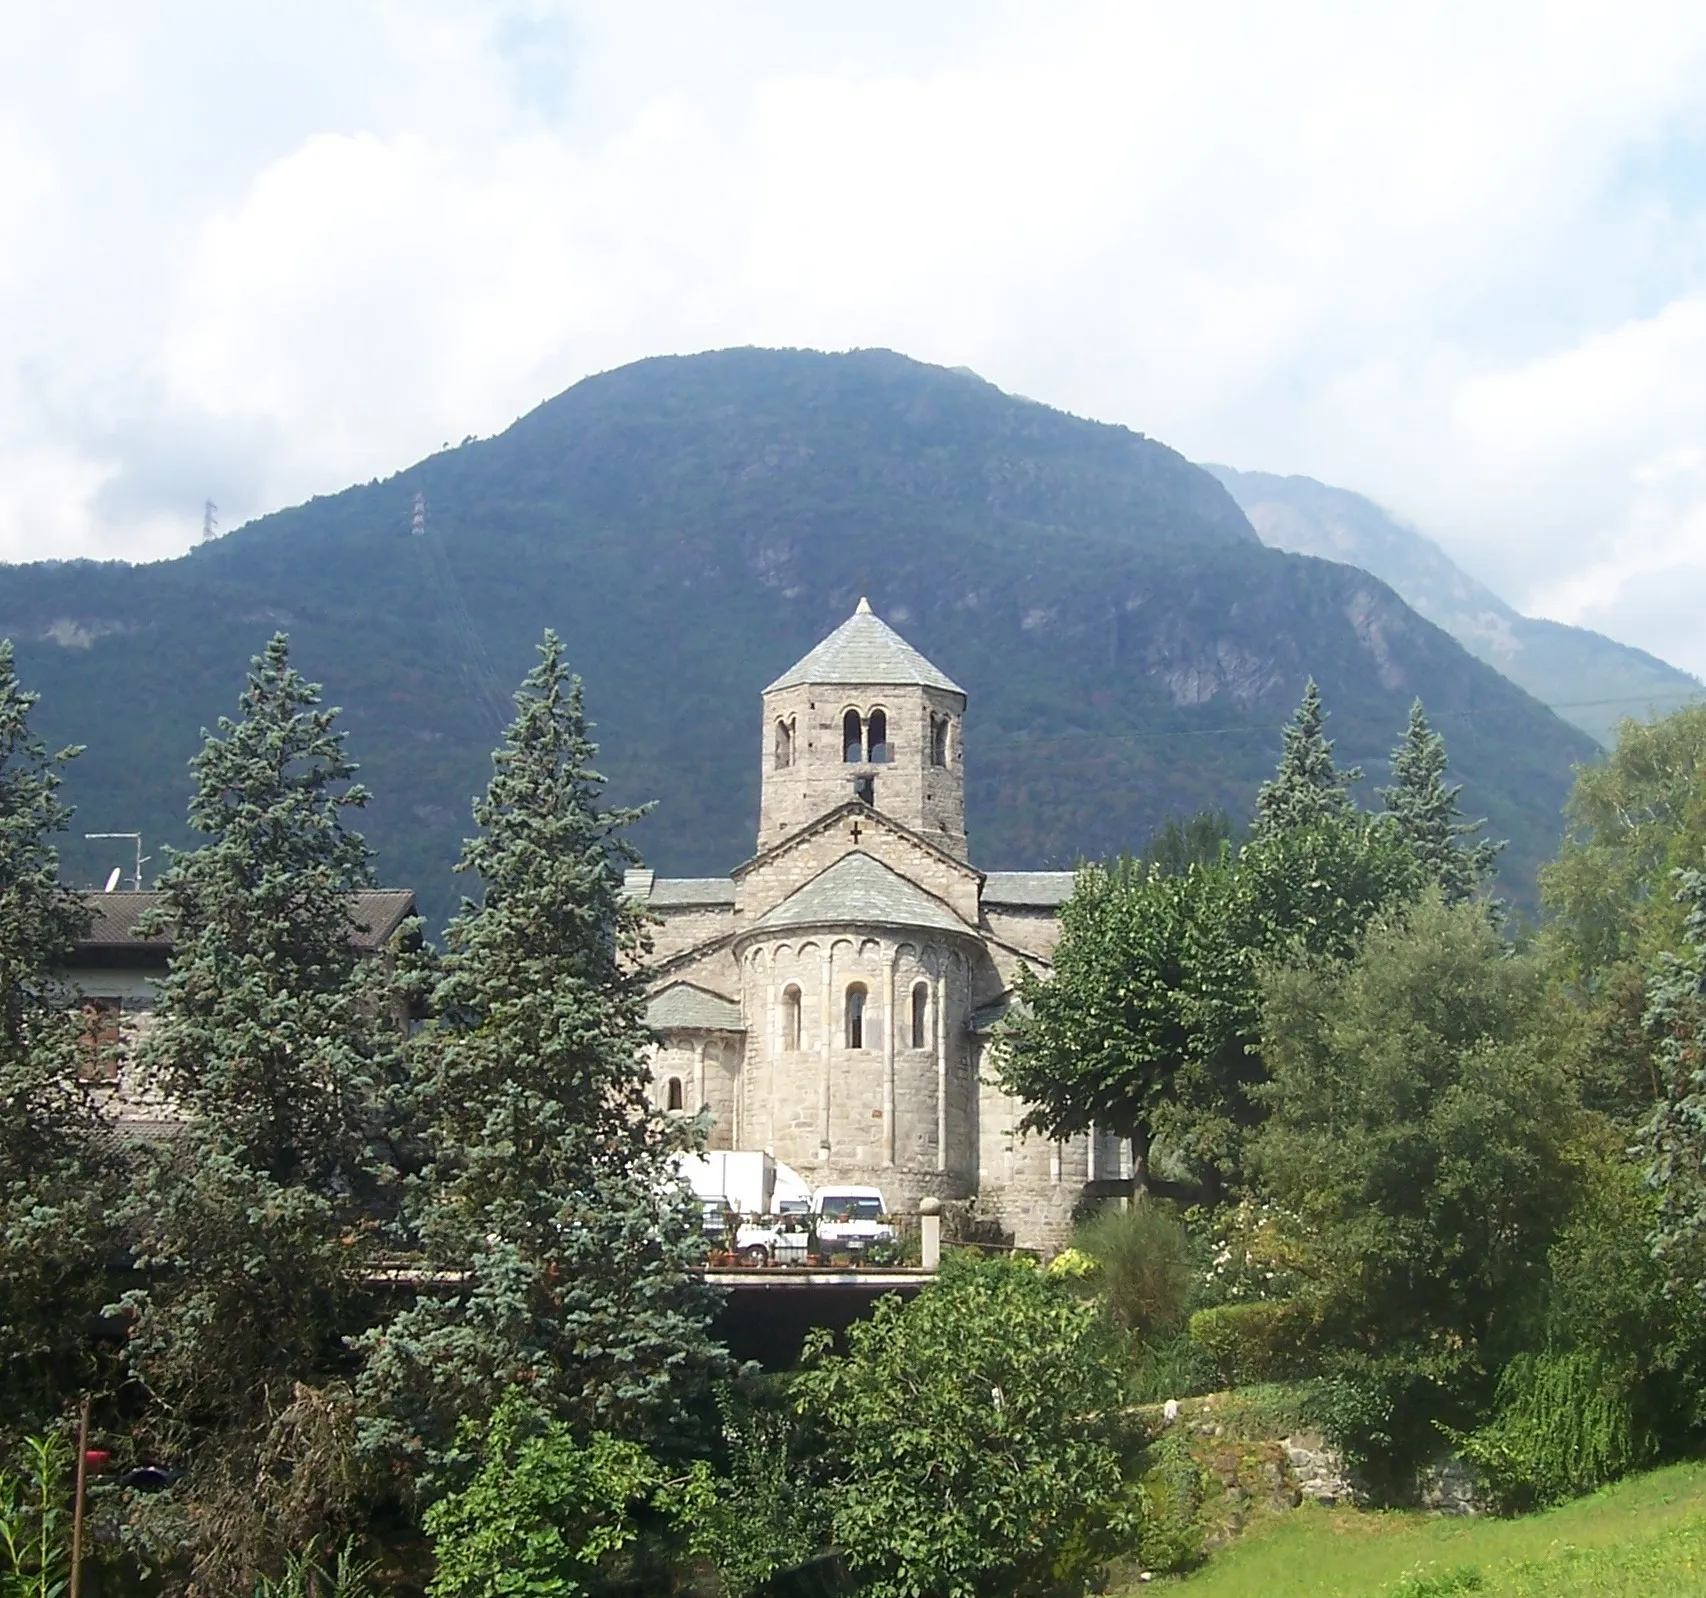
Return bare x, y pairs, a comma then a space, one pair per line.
57, 1171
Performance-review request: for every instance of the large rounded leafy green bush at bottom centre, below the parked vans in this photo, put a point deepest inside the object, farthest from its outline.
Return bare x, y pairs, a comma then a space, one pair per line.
970, 1437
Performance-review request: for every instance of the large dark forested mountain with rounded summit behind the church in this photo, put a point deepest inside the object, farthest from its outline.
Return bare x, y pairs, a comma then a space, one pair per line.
692, 526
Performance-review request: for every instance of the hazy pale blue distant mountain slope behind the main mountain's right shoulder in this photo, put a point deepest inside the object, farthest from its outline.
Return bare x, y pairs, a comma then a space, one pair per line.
1587, 678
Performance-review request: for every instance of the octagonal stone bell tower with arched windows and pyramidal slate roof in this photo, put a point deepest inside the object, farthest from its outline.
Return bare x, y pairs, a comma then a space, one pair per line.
864, 717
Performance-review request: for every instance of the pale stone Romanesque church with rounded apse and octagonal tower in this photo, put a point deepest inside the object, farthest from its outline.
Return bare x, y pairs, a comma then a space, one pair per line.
832, 1000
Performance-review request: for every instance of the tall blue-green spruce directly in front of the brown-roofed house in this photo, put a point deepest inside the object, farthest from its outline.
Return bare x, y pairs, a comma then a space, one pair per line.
272, 1036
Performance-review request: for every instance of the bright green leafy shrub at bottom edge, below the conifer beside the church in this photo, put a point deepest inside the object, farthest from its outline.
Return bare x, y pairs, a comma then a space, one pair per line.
543, 1515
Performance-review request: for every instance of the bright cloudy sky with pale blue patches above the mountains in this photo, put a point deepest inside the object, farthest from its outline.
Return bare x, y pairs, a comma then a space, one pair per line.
1451, 257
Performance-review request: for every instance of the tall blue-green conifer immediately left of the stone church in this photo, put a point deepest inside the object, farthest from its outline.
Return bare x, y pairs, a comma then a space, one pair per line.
548, 1178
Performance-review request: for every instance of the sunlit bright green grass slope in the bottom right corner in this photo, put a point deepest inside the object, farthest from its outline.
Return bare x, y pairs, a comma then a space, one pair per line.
1640, 1539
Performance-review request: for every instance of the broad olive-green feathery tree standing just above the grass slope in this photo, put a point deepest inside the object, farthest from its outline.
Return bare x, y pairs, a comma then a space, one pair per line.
1422, 1135
